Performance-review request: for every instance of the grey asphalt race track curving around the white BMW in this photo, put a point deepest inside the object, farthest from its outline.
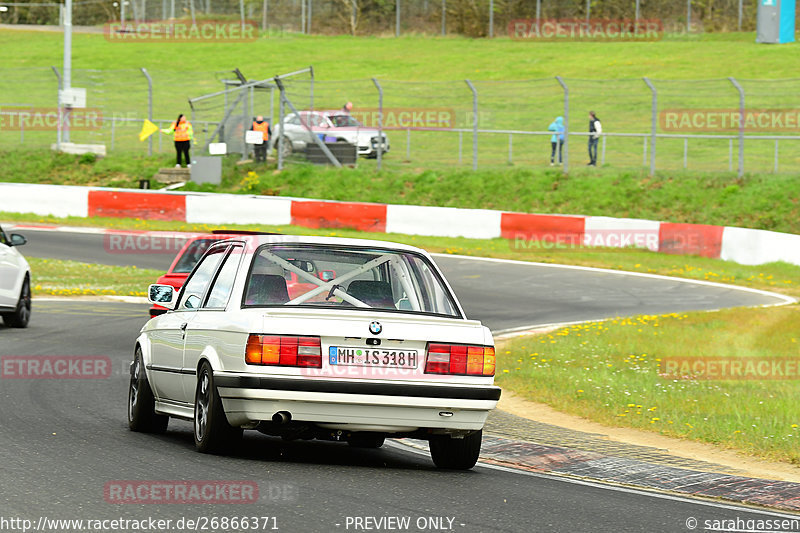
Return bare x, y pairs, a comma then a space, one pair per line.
63, 440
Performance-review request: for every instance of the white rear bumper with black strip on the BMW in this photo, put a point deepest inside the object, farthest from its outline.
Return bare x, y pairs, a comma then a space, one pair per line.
347, 405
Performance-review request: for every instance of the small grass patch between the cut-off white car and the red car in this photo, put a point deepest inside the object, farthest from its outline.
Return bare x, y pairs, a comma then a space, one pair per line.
74, 278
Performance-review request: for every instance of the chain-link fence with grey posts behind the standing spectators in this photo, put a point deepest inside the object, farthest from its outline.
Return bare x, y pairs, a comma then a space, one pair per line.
709, 125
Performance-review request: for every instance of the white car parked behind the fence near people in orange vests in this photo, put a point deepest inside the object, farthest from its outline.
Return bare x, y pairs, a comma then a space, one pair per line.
336, 126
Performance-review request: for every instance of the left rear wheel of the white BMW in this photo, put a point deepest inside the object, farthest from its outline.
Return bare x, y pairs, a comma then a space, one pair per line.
212, 433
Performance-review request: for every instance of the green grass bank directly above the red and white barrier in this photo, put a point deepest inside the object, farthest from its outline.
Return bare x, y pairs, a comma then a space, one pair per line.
755, 201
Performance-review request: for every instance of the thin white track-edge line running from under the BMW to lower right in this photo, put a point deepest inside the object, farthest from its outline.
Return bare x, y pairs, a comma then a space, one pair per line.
653, 493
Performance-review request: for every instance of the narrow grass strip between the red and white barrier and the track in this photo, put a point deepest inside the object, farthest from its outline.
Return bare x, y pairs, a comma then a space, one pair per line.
778, 277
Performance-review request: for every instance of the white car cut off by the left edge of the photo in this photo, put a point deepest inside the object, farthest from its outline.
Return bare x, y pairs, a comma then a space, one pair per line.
15, 282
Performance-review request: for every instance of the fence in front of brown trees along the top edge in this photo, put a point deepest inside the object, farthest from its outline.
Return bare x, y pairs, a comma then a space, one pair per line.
477, 18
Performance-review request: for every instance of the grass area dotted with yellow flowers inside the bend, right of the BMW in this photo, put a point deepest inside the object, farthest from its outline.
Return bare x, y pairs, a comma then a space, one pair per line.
609, 372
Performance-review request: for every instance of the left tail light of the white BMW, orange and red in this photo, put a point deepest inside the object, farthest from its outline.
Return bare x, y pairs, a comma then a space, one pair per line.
283, 350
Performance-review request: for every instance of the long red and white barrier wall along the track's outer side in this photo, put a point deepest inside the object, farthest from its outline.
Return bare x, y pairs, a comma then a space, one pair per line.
745, 246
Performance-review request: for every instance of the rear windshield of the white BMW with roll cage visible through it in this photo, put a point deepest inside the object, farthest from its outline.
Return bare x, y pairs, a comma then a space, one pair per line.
339, 277
